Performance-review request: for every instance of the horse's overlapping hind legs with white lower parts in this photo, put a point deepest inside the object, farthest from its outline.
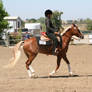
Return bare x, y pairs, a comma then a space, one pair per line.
30, 70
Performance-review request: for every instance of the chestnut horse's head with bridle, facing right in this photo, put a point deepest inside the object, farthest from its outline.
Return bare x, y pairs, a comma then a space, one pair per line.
76, 31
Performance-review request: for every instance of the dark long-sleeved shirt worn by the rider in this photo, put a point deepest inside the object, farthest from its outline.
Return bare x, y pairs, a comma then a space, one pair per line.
49, 26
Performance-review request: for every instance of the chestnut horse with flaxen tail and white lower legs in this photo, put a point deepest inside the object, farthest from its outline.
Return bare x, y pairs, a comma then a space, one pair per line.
31, 49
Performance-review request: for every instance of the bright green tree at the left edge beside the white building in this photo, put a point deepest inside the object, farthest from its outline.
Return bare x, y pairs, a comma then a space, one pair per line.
3, 13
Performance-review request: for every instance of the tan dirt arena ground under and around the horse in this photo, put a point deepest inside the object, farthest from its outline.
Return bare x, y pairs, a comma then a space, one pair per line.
17, 80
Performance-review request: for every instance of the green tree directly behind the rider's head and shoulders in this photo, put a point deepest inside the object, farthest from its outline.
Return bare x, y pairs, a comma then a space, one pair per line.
56, 19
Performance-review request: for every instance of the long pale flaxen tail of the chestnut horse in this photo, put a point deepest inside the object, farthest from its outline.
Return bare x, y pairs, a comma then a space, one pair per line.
16, 55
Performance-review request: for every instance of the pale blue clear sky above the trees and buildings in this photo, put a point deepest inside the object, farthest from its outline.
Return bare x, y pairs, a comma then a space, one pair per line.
27, 9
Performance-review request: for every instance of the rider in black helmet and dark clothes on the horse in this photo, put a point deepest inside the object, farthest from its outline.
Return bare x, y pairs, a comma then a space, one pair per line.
51, 31
